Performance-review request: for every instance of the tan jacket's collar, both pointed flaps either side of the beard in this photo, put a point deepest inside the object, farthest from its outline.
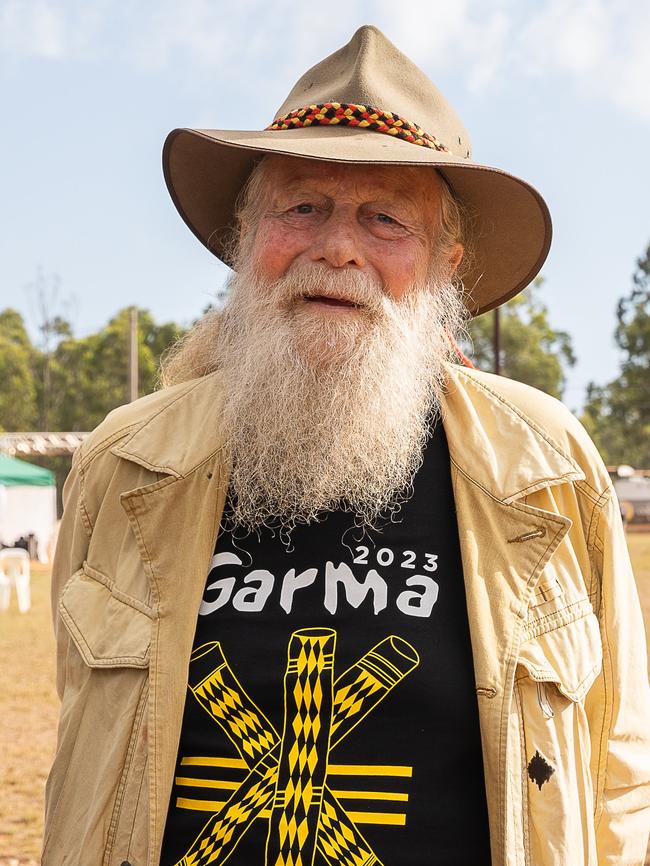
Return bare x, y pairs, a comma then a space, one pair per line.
492, 441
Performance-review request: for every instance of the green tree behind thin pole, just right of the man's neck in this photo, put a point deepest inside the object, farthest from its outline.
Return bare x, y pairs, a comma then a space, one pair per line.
532, 351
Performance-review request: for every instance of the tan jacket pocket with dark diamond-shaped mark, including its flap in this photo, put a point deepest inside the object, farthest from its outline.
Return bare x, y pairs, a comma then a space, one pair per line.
555, 670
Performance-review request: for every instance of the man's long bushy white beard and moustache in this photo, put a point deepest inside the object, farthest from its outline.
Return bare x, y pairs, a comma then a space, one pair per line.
327, 412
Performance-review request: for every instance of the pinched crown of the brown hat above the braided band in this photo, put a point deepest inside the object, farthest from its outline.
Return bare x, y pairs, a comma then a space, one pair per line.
371, 71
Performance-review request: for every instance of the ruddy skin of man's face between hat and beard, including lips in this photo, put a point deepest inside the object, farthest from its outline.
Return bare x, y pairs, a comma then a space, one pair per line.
376, 220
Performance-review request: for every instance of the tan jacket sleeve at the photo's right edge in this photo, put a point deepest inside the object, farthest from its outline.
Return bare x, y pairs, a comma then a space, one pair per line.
622, 703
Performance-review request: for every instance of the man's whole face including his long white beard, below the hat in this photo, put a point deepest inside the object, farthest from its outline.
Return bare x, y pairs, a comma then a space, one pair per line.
333, 343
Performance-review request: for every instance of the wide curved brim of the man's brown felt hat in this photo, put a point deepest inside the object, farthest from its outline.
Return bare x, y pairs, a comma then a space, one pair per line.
206, 169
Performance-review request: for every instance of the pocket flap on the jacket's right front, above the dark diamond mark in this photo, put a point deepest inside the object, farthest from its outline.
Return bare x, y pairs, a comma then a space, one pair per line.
569, 656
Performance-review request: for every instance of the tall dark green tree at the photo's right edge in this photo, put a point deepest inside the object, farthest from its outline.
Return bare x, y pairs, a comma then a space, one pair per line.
617, 415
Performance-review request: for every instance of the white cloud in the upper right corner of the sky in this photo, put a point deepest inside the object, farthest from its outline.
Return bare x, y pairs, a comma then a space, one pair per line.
598, 47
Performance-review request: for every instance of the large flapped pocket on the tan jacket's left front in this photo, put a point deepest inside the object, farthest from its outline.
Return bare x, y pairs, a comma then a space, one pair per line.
99, 777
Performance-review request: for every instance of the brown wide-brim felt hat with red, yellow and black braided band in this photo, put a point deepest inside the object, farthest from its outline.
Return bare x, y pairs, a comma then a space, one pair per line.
368, 103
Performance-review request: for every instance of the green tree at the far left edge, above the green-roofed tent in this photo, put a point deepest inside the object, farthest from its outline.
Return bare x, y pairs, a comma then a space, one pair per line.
18, 393
